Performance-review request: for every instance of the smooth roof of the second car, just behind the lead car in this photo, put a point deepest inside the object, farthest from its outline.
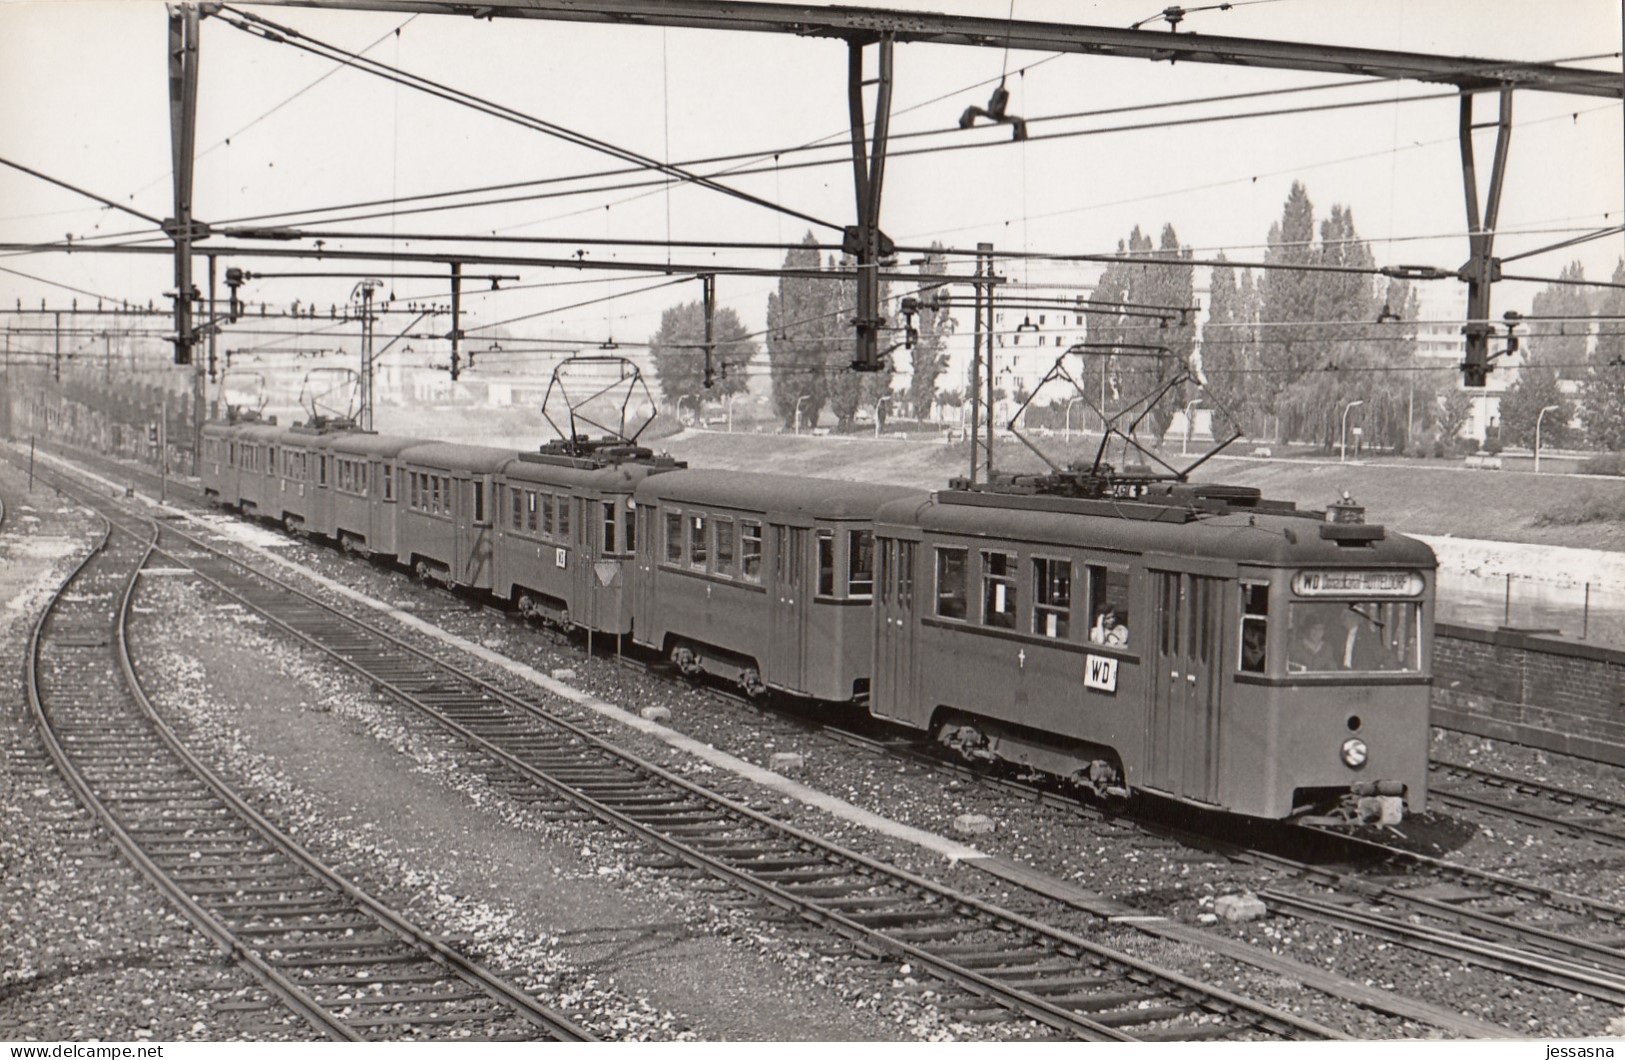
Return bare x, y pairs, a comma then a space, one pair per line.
821, 498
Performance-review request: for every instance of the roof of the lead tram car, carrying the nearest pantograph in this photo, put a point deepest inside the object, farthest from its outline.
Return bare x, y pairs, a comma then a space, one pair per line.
1257, 537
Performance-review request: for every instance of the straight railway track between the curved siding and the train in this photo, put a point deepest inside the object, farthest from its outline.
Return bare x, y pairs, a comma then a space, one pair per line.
1002, 962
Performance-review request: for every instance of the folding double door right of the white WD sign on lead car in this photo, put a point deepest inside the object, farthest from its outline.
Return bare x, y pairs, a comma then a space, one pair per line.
1187, 653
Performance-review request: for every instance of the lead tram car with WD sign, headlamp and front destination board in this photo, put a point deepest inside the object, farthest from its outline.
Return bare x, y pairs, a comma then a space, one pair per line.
1195, 643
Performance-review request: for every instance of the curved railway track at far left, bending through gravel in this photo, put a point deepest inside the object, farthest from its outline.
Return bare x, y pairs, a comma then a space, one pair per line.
353, 968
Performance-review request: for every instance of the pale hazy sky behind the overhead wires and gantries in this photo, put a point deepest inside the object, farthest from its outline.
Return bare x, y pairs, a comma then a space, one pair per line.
280, 131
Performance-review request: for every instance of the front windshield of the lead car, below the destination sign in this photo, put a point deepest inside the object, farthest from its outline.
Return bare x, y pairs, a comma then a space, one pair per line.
1343, 636
